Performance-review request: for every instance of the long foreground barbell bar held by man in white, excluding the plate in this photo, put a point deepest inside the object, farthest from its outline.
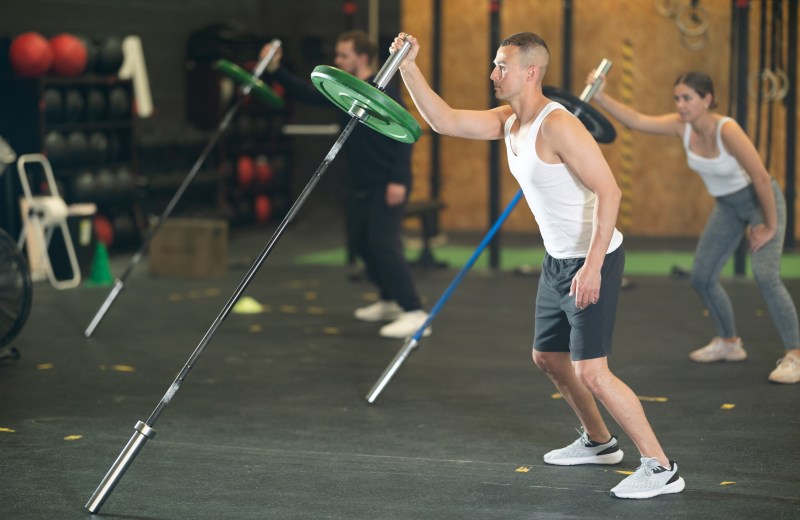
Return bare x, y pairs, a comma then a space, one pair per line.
144, 430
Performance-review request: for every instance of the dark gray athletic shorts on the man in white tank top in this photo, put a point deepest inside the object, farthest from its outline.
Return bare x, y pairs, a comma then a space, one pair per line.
559, 325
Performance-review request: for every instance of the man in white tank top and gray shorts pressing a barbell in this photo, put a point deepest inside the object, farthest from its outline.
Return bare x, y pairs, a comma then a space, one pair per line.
575, 201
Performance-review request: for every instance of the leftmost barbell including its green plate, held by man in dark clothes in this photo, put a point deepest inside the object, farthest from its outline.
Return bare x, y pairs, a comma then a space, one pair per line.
250, 83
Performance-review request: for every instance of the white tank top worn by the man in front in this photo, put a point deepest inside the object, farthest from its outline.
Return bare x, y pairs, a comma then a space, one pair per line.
562, 206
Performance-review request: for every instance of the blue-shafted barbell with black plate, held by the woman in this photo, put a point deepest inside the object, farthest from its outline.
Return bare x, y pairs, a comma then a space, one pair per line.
577, 106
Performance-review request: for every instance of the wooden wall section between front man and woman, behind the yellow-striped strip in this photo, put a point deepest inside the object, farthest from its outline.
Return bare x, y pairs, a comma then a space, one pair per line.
667, 199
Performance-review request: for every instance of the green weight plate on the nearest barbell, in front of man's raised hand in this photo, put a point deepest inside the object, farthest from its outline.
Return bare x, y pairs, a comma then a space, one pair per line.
385, 115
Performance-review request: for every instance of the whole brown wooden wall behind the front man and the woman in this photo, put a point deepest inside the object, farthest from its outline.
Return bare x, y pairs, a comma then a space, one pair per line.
665, 198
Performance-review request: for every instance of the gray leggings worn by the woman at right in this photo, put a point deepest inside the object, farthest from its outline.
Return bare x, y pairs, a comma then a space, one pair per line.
723, 232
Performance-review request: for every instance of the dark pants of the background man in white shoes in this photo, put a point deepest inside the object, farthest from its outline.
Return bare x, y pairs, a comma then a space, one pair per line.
374, 234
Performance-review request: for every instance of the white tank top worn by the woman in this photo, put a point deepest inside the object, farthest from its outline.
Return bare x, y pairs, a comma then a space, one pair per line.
722, 174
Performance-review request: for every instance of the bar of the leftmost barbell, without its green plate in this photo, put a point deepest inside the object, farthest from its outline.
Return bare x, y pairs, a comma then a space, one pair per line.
119, 284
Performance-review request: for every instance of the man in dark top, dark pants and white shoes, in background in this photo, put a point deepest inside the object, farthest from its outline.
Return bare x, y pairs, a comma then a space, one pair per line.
378, 183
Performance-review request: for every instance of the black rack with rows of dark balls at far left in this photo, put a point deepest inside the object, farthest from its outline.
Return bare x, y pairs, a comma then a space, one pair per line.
32, 124
